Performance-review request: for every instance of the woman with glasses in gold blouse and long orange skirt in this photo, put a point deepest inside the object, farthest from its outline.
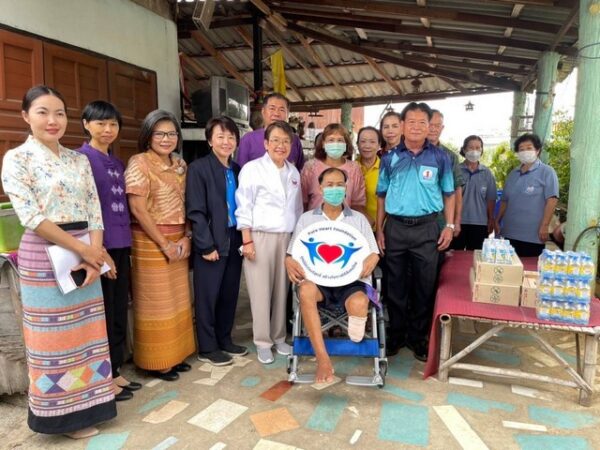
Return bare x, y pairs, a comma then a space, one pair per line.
162, 308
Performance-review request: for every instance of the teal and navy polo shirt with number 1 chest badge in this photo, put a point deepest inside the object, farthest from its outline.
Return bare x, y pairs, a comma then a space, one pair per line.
413, 185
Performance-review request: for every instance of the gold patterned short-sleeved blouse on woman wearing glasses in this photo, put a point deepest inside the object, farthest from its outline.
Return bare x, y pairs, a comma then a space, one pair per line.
162, 185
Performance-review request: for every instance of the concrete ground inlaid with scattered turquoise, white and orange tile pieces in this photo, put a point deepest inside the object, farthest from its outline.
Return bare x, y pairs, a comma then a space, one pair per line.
250, 406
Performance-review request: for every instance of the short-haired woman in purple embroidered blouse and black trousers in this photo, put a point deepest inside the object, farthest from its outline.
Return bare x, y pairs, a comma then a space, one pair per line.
101, 122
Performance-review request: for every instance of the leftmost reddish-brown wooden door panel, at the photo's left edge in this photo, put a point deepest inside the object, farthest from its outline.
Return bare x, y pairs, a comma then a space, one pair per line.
20, 68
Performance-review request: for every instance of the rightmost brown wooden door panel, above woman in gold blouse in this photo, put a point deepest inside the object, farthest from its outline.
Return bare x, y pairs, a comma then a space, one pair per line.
133, 92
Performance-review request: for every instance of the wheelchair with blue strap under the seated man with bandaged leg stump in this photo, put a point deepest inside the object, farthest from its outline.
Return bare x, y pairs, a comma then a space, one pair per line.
372, 345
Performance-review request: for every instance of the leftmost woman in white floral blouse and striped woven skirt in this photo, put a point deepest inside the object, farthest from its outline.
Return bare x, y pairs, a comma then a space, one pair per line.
53, 192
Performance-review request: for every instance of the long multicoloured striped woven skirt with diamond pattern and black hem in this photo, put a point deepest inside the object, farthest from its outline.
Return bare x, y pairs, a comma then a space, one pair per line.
70, 382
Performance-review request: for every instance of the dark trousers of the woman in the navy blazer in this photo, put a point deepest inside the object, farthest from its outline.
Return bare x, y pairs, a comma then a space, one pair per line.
216, 290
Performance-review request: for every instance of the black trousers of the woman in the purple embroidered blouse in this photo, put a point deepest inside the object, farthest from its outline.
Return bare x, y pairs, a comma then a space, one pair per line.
116, 299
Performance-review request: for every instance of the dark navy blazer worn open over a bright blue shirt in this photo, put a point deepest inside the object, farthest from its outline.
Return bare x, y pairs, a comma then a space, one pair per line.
206, 204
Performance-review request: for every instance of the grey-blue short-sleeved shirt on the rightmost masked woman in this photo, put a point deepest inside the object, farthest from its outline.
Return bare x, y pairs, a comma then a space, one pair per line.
525, 195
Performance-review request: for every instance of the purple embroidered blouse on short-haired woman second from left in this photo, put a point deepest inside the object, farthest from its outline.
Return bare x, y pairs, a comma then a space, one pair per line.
110, 183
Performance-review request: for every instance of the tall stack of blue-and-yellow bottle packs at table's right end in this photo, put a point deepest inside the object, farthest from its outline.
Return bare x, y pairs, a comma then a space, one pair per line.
565, 286
